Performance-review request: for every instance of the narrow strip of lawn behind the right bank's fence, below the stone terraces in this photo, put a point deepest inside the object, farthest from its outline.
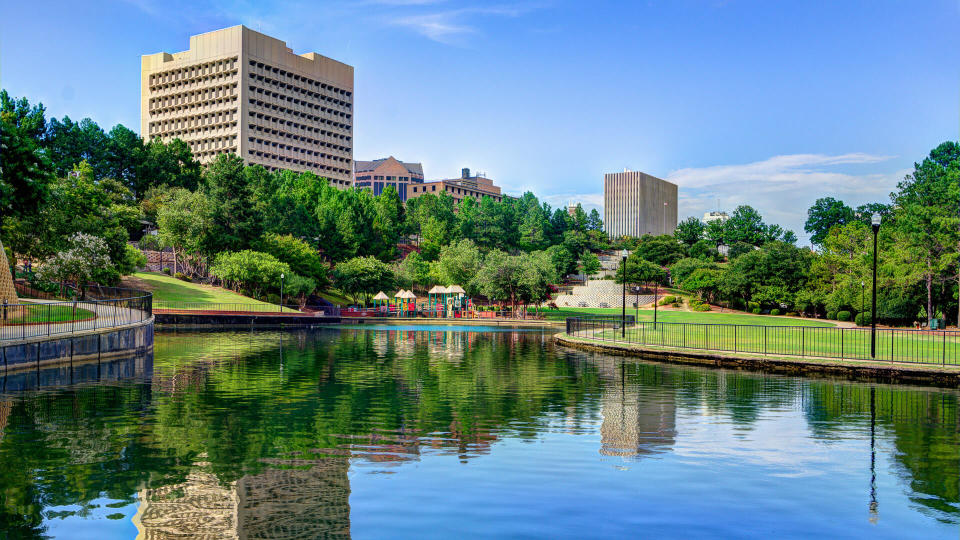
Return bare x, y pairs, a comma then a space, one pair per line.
706, 317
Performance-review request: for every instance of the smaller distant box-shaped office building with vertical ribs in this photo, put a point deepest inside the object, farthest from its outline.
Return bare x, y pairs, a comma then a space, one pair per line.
635, 204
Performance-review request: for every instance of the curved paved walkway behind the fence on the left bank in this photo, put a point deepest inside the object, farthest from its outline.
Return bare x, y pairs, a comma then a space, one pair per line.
107, 315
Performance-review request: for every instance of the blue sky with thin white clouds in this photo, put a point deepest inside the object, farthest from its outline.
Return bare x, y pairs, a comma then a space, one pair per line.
771, 104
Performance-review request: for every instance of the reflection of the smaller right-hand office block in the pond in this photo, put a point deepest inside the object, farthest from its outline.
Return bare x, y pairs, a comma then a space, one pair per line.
638, 419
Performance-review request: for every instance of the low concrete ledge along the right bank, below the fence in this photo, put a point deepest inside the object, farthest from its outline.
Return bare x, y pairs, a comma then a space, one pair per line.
924, 374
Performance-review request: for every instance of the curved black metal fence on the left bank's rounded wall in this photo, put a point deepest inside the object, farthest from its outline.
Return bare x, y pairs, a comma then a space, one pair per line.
103, 307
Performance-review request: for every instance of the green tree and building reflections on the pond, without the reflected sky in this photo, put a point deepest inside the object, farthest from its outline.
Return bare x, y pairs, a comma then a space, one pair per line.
253, 434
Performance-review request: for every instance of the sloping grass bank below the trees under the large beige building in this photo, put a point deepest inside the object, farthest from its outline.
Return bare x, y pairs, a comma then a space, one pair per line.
171, 292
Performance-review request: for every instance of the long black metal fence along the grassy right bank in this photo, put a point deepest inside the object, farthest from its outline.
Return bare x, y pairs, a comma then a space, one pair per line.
891, 344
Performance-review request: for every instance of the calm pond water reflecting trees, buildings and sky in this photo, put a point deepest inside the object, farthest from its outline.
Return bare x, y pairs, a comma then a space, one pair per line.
406, 433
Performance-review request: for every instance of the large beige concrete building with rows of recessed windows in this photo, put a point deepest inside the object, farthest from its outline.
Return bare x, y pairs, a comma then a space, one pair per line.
239, 91
